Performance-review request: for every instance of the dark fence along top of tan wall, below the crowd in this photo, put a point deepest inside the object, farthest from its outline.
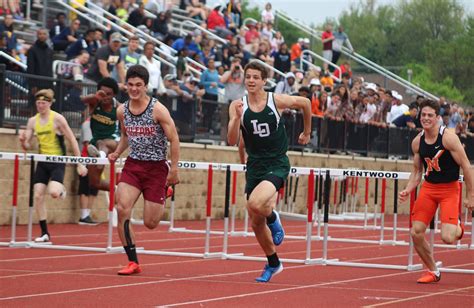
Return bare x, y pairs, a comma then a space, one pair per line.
200, 120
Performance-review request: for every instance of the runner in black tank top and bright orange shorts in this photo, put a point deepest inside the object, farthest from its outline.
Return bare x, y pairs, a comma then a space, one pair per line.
441, 154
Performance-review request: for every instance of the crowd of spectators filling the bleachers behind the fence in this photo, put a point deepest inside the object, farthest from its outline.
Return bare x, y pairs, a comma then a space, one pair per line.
95, 53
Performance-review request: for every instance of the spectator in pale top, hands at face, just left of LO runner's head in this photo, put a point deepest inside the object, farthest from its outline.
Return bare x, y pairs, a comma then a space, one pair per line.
233, 81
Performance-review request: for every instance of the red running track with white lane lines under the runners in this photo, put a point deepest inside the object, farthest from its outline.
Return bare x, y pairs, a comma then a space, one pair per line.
43, 277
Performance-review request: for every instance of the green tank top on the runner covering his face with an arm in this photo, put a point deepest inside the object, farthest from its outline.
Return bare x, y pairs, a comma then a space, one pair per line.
103, 124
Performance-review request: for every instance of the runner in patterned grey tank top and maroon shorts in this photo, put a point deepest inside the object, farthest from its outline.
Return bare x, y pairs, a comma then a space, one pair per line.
146, 126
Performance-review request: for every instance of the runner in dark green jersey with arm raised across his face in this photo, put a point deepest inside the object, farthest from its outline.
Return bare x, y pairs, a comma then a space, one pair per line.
102, 108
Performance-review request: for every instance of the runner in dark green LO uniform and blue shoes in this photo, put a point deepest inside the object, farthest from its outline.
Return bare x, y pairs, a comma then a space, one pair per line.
258, 117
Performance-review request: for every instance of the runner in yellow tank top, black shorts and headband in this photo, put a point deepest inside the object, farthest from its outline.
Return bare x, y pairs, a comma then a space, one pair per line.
50, 129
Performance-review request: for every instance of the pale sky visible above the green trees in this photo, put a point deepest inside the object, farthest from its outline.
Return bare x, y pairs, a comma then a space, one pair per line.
316, 11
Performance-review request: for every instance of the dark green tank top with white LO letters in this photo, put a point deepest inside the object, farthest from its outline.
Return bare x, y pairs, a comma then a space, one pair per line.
263, 132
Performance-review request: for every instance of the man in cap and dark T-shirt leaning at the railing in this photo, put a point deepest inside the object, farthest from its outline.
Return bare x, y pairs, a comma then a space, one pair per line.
108, 57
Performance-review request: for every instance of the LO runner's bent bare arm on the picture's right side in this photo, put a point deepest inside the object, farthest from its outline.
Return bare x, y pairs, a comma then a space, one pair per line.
284, 101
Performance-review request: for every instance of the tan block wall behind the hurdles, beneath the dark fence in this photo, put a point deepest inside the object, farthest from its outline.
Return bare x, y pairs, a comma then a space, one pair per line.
190, 193
